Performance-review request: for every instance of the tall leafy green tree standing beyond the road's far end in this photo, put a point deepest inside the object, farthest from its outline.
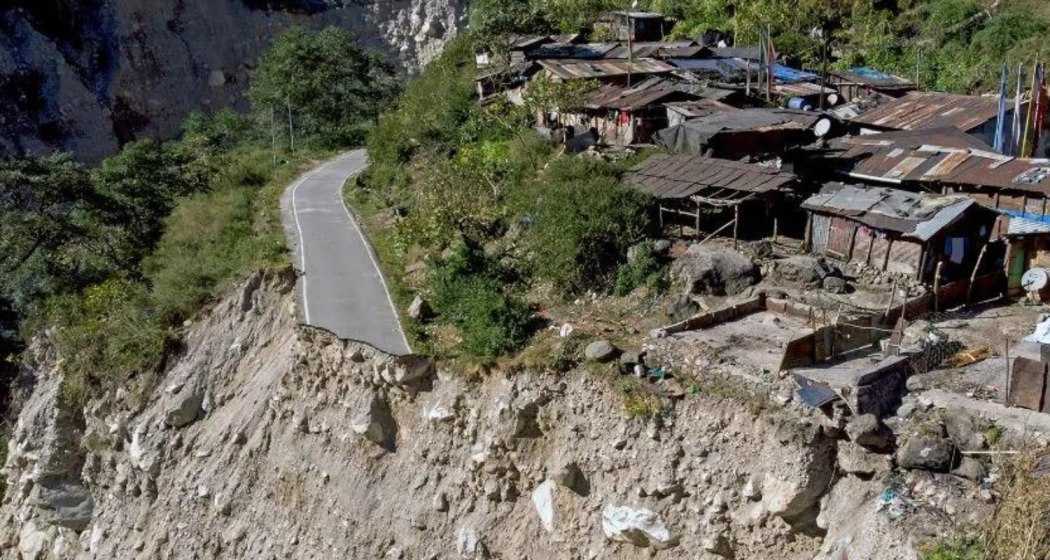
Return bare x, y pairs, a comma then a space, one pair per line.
330, 90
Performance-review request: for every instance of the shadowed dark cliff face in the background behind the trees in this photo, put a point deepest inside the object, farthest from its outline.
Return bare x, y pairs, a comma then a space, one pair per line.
86, 76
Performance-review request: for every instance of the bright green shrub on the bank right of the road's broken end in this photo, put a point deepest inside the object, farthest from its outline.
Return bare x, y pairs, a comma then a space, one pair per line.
469, 293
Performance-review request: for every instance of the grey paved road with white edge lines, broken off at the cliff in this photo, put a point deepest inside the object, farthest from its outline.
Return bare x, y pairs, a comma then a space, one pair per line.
342, 288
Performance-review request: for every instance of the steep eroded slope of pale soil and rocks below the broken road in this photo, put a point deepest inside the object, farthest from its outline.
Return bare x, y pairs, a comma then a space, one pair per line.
265, 440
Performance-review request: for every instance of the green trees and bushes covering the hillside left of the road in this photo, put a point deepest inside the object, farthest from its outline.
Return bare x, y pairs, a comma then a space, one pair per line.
115, 259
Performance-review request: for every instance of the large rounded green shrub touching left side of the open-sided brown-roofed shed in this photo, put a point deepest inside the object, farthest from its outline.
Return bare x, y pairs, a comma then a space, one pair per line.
583, 221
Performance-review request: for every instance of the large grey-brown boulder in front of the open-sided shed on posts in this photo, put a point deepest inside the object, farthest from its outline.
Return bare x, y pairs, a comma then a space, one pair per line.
713, 272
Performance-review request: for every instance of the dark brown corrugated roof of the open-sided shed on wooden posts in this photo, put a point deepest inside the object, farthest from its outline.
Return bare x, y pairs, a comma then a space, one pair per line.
684, 175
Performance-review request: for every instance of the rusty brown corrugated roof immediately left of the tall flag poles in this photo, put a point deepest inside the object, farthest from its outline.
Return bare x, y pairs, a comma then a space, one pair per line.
920, 111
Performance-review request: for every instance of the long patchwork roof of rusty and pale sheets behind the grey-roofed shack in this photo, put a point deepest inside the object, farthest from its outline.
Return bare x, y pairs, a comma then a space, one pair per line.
961, 162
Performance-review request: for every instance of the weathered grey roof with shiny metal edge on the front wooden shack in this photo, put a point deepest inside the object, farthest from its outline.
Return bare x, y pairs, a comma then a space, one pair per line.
916, 216
